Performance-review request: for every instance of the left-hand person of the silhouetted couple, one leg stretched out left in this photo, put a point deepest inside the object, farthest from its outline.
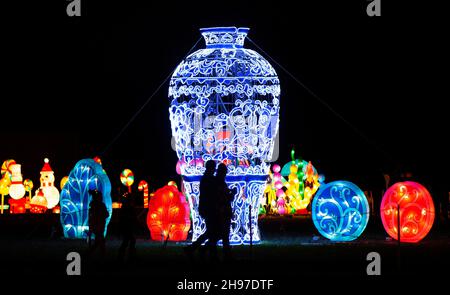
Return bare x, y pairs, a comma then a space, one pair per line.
208, 211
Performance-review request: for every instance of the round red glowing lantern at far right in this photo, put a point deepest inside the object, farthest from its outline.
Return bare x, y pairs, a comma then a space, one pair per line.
416, 211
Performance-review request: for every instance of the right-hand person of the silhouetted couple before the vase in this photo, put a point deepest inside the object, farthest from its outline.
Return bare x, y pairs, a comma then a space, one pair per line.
225, 199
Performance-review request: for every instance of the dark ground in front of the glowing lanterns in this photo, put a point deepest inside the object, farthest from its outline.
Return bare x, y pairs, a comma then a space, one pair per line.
290, 248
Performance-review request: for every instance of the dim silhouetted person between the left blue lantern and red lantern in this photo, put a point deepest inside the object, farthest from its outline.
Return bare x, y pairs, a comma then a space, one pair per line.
128, 222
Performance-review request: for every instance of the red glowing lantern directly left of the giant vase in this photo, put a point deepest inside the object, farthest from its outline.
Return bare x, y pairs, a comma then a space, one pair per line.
168, 215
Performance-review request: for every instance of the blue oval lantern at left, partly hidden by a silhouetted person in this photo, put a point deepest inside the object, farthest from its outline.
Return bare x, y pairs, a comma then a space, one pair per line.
75, 197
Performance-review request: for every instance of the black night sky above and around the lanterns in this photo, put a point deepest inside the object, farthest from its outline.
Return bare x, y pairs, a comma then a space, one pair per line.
70, 84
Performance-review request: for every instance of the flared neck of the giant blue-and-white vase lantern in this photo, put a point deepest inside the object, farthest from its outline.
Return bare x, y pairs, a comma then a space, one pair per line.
224, 37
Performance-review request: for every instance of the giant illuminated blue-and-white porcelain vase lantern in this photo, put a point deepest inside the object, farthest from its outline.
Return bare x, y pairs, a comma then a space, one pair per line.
225, 107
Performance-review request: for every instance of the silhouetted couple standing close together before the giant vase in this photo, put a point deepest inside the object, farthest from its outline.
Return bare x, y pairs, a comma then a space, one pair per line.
215, 208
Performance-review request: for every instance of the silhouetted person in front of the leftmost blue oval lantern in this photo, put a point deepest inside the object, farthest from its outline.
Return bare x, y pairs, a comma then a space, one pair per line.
97, 221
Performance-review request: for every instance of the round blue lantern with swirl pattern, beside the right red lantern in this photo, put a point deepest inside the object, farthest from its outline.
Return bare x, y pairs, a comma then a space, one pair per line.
340, 211
